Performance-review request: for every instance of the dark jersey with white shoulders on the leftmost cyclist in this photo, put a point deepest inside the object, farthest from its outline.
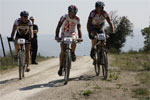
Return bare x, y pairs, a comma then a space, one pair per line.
22, 27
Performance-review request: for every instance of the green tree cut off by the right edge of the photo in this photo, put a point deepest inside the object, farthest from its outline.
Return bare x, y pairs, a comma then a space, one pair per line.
146, 34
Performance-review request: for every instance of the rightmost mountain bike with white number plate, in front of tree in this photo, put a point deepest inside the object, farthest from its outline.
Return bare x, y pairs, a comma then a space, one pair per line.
100, 58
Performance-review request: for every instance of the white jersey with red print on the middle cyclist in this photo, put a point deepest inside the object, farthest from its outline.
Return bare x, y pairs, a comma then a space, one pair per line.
69, 25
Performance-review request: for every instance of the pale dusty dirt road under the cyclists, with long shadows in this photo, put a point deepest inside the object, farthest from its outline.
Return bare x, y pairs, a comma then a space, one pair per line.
43, 83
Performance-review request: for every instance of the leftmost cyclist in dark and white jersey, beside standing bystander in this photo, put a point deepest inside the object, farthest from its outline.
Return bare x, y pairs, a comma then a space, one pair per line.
24, 30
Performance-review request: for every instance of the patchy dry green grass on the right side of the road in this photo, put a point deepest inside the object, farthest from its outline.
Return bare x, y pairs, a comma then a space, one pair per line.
136, 62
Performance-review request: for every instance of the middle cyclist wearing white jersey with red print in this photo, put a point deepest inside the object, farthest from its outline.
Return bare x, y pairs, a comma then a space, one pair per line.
68, 22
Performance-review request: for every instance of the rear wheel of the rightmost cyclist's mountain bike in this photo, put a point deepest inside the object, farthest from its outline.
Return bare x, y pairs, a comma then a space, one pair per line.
97, 64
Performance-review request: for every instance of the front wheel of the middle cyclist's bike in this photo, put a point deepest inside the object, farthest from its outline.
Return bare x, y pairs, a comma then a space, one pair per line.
67, 65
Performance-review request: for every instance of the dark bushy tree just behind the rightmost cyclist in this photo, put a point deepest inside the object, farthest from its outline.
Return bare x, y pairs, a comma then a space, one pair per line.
123, 28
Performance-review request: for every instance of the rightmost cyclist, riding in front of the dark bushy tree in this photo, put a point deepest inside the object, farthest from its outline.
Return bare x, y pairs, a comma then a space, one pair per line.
96, 23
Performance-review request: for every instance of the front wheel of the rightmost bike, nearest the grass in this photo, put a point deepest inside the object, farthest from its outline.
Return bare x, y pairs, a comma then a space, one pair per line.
105, 65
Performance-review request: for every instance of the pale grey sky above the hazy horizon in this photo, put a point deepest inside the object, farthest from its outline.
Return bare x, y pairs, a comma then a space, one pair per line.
48, 12
